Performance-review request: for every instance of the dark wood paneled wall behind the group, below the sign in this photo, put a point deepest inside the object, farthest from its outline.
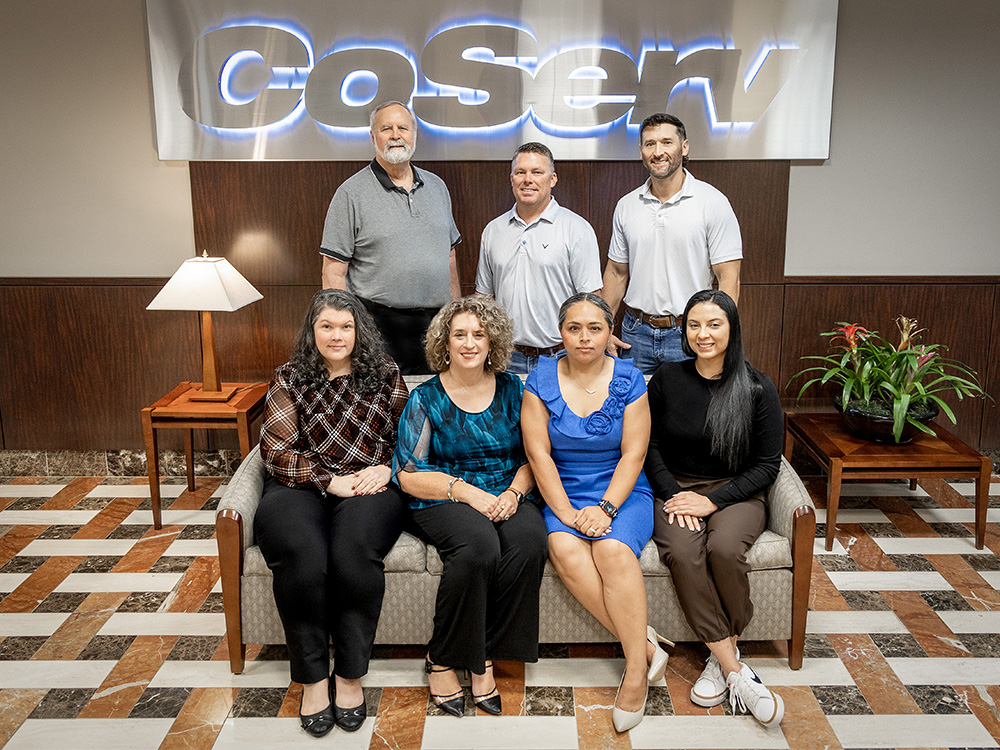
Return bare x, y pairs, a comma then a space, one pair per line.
81, 357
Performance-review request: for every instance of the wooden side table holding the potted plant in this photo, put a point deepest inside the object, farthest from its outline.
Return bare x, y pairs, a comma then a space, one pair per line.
844, 456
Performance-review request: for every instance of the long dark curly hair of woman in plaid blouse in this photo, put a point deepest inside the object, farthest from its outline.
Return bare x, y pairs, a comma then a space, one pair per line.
370, 365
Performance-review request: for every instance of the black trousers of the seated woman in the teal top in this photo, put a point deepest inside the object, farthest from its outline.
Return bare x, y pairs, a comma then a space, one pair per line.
487, 601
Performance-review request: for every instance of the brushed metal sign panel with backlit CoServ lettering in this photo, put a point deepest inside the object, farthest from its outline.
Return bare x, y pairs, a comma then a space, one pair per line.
232, 79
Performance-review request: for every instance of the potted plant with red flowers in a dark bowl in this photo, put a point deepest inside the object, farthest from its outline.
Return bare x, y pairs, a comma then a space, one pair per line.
885, 386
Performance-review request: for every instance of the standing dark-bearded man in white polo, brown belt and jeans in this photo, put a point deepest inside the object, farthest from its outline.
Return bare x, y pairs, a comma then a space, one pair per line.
669, 238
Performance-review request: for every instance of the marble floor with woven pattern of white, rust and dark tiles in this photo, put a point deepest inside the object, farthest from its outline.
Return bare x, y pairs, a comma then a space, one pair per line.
111, 636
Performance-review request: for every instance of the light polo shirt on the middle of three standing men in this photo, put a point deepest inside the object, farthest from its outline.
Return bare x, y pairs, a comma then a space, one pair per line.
530, 269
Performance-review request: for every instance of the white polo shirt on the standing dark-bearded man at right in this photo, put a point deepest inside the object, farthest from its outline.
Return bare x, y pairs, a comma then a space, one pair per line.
671, 247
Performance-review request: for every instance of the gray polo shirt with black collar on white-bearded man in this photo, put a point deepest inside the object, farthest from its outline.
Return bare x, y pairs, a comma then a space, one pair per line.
397, 244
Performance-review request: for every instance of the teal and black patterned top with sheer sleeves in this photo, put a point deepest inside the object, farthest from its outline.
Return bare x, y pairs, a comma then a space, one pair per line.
484, 449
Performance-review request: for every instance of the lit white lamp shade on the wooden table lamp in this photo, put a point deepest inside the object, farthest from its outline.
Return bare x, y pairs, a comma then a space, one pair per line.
204, 283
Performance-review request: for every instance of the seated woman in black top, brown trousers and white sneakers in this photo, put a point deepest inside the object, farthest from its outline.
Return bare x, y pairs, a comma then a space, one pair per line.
715, 448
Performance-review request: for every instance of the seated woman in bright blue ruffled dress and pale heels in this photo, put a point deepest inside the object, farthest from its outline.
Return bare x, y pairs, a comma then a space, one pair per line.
586, 428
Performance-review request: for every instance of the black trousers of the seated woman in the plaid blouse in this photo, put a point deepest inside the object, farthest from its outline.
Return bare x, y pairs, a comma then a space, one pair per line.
326, 556
